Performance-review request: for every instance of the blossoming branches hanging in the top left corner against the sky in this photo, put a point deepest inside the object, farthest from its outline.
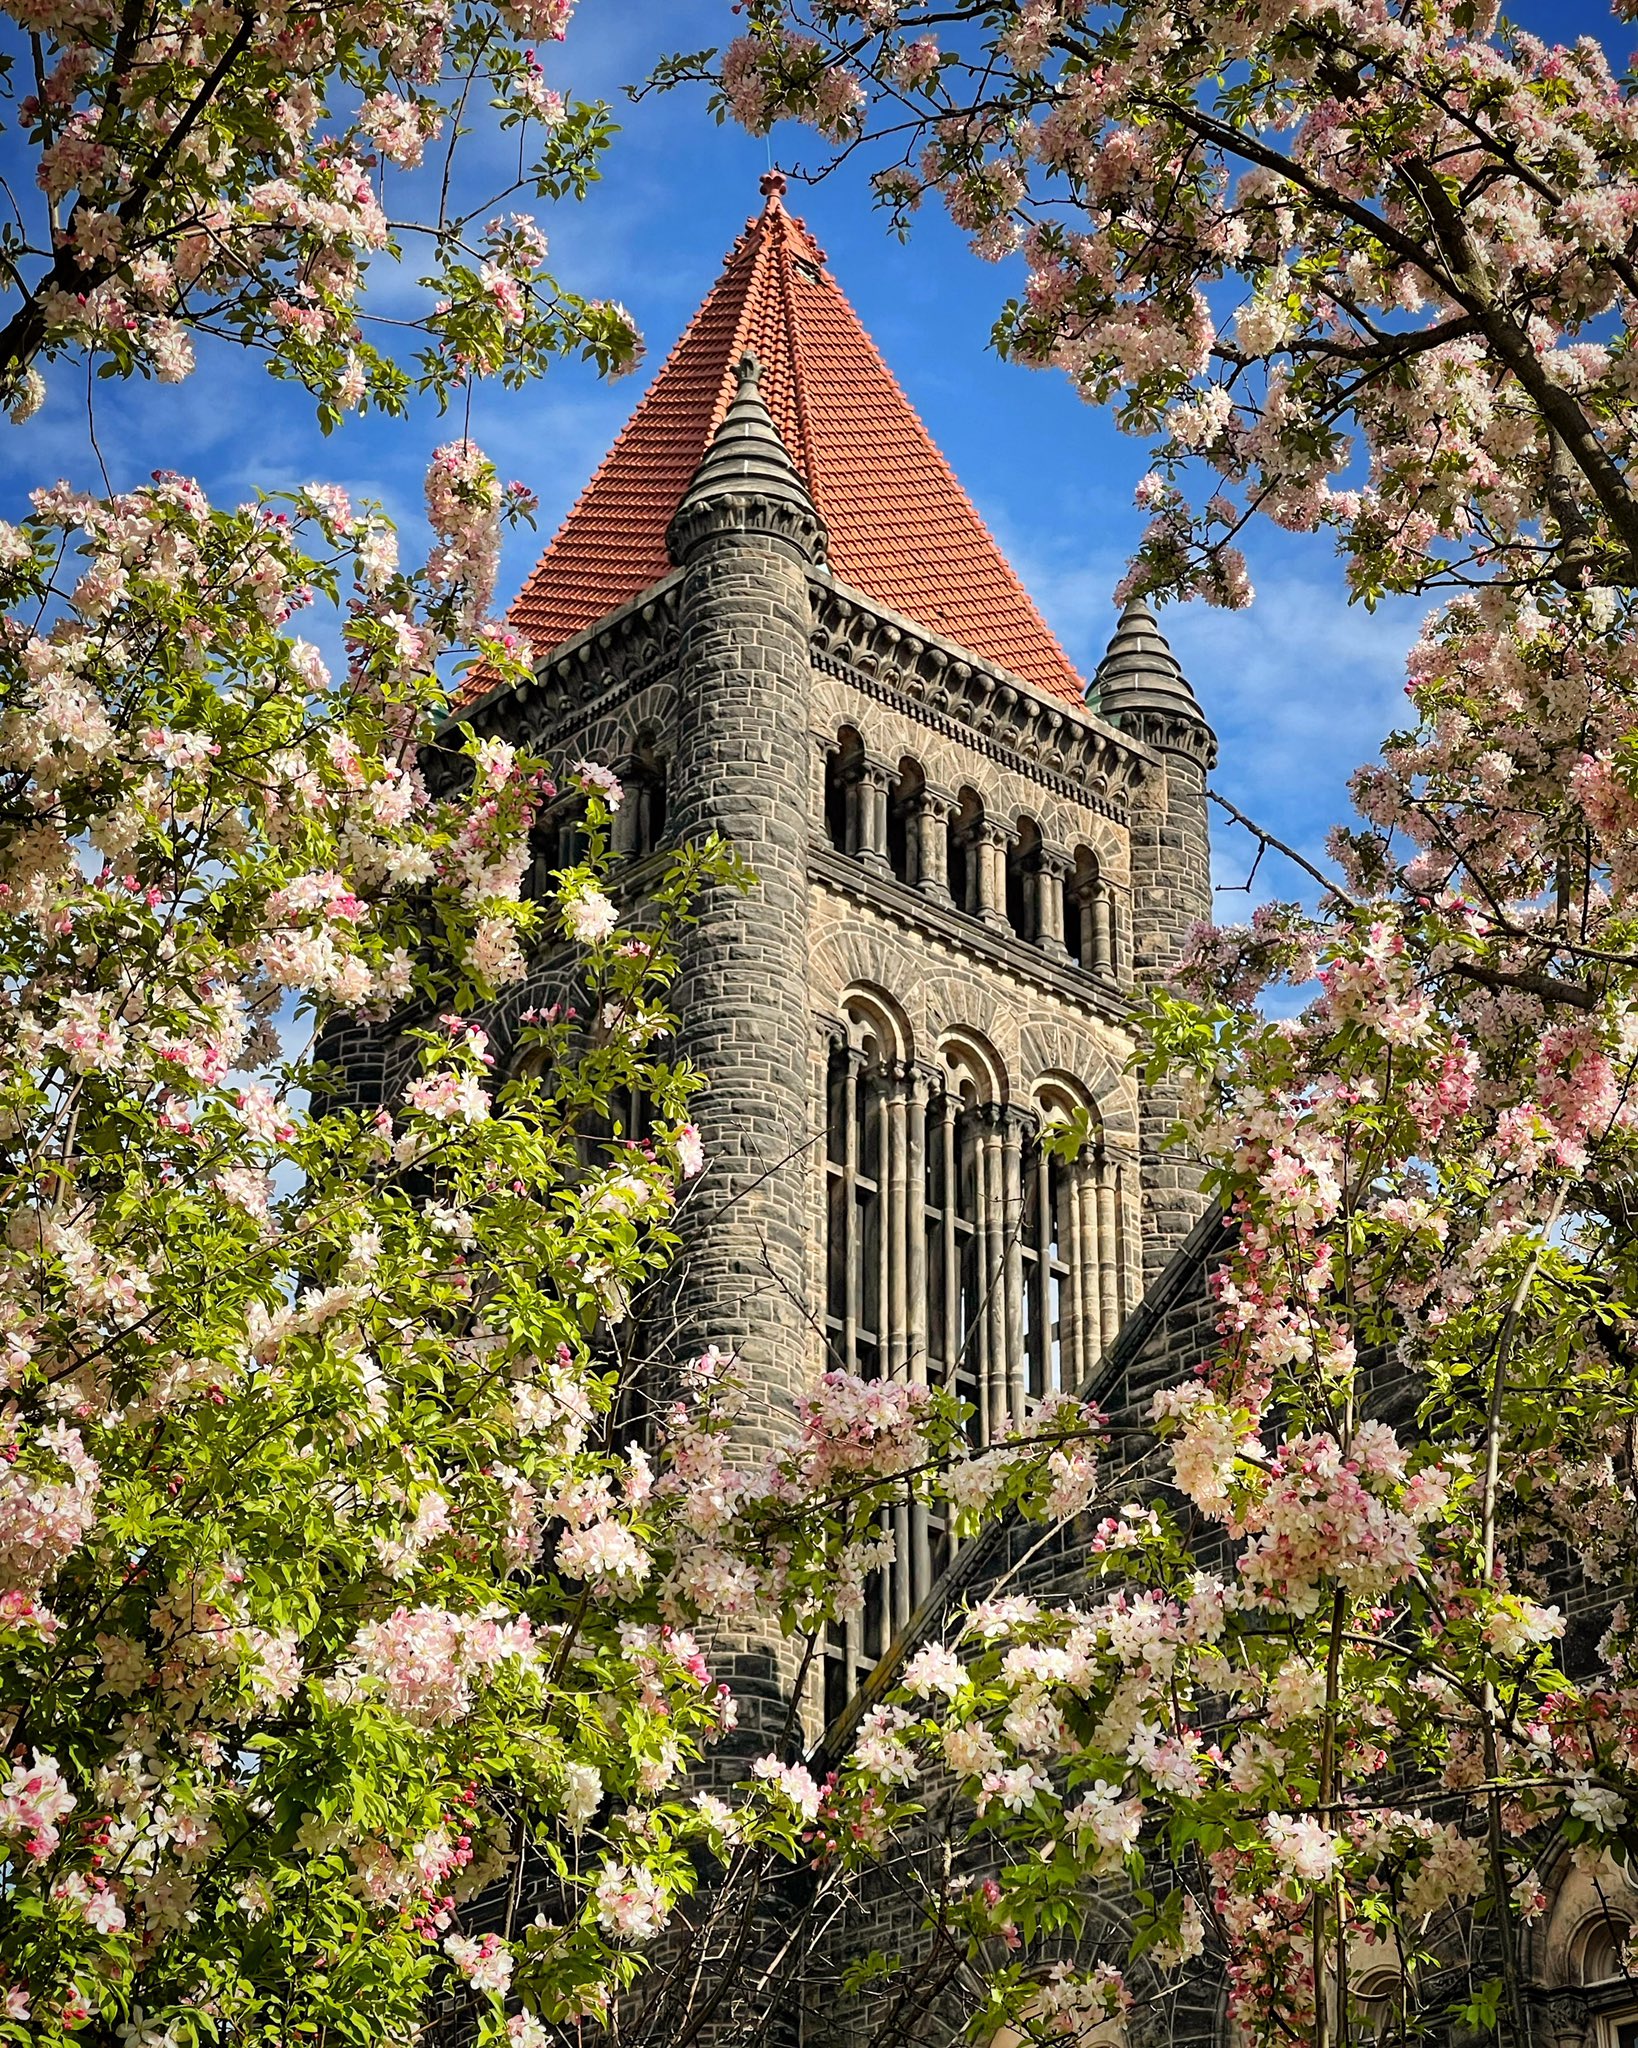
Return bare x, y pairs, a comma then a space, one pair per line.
241, 171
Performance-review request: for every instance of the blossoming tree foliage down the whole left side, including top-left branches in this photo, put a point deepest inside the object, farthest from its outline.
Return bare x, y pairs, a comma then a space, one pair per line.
329, 1578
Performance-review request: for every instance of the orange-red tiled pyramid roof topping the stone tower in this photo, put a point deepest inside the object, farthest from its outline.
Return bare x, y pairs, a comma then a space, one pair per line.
902, 527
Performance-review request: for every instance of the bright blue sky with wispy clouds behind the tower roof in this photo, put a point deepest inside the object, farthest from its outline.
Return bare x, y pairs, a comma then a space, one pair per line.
1301, 689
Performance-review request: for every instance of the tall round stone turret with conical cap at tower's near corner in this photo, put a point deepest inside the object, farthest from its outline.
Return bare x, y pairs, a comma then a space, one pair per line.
748, 538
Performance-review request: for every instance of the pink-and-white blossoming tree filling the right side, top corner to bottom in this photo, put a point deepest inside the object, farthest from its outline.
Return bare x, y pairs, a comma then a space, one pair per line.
1371, 273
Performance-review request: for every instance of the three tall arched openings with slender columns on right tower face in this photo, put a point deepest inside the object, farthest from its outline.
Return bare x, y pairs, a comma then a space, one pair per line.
961, 1250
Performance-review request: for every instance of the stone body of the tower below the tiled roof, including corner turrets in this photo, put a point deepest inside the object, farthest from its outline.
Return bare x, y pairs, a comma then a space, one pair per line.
961, 888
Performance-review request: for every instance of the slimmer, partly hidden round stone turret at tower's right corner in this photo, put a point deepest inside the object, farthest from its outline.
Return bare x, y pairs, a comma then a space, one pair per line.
1141, 689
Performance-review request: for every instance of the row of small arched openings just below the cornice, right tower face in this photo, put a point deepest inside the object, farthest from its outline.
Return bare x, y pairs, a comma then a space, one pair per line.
892, 818
